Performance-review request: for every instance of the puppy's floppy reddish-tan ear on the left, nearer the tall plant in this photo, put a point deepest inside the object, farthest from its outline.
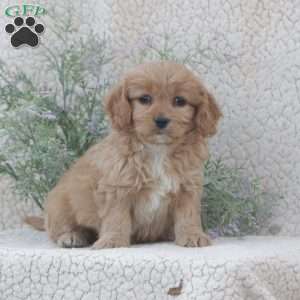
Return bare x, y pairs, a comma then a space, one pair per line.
118, 108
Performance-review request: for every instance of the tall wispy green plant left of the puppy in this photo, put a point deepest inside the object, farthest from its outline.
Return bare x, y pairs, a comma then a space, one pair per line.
45, 127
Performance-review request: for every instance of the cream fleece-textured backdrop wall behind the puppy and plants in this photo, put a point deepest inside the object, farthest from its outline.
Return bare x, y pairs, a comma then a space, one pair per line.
247, 52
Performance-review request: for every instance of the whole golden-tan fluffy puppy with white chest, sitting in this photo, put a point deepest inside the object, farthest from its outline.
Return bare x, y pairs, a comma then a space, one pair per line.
143, 182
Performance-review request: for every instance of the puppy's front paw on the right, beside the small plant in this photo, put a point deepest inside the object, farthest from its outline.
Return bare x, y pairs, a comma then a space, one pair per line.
195, 239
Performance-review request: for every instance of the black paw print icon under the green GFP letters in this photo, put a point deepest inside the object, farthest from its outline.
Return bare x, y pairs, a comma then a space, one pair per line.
24, 33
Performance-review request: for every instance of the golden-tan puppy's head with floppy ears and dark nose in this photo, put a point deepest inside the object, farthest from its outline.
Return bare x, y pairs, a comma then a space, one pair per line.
161, 102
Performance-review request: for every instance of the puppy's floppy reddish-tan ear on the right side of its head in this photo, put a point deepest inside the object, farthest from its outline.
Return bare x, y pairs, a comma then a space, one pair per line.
208, 115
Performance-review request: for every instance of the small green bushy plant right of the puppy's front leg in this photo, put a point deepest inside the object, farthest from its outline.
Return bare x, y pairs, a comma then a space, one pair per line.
232, 203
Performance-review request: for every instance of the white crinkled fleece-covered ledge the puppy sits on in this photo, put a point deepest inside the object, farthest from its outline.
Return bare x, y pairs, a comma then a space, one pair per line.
252, 268
